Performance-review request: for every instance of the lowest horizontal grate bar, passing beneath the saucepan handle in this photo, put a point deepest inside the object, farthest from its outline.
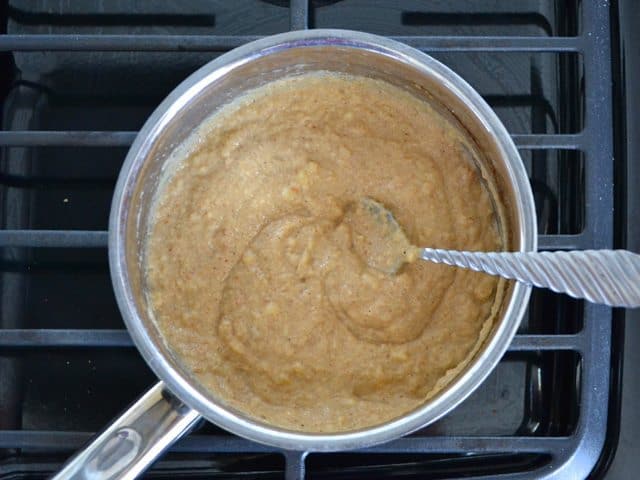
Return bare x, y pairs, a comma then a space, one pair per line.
65, 441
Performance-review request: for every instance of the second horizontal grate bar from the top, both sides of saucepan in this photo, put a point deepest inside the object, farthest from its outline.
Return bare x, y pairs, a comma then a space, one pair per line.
79, 138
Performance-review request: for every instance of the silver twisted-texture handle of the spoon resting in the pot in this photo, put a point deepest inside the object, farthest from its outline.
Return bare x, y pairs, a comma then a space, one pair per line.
610, 277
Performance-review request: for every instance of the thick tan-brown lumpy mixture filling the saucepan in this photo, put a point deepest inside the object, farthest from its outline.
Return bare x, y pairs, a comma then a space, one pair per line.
258, 276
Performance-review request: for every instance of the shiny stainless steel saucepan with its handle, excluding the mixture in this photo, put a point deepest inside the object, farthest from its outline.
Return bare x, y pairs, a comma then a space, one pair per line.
173, 406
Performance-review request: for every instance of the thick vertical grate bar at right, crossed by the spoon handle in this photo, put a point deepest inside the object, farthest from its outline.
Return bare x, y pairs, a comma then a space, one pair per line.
591, 428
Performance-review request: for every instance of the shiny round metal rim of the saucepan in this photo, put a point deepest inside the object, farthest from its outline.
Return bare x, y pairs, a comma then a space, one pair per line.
174, 377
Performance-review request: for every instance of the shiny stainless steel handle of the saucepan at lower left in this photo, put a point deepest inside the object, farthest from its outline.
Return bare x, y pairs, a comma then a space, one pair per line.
131, 443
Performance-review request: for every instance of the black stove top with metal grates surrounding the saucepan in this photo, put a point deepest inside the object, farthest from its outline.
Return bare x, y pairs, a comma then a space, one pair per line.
83, 78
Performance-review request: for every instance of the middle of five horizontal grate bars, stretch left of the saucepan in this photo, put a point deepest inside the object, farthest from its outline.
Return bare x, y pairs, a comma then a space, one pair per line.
54, 238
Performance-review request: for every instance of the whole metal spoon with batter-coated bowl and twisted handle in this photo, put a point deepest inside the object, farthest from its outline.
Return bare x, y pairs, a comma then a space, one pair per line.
610, 277
